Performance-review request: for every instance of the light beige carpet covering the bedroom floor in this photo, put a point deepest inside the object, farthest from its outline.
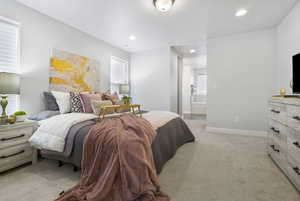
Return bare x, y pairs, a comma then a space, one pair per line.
215, 168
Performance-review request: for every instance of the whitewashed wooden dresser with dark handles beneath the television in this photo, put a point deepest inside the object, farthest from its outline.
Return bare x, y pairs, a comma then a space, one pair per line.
284, 136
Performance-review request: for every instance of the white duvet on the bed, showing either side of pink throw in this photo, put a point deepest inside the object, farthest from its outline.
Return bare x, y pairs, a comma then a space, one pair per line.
52, 133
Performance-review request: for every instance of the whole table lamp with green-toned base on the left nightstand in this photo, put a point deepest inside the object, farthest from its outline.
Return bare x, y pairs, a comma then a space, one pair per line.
9, 84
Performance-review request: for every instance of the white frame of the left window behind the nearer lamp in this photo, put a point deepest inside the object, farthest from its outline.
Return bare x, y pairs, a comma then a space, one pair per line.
14, 98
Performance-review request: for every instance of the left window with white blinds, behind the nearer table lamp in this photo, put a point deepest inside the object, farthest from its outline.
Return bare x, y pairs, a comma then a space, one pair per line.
10, 55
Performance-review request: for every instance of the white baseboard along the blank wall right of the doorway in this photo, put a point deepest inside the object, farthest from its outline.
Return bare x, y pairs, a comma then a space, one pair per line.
229, 131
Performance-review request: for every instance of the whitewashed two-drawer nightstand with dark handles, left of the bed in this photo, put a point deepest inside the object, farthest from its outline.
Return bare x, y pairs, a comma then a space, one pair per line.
15, 149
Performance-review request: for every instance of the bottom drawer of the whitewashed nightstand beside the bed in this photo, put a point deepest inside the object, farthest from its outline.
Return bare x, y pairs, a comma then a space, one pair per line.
12, 155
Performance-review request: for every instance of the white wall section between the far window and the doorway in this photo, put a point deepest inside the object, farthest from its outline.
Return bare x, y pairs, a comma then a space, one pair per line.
150, 79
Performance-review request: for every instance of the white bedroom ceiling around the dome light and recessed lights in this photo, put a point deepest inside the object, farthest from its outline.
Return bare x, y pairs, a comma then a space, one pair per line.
189, 22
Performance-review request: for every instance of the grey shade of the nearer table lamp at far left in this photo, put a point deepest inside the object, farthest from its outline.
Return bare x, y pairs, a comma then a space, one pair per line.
9, 83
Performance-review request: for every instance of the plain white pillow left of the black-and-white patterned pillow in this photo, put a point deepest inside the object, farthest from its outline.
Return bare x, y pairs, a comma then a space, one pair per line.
63, 101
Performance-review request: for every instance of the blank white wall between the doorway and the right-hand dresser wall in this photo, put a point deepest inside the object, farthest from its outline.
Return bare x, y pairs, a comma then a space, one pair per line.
240, 80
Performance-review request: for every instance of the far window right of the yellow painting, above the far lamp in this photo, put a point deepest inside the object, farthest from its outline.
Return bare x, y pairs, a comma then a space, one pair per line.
119, 73
